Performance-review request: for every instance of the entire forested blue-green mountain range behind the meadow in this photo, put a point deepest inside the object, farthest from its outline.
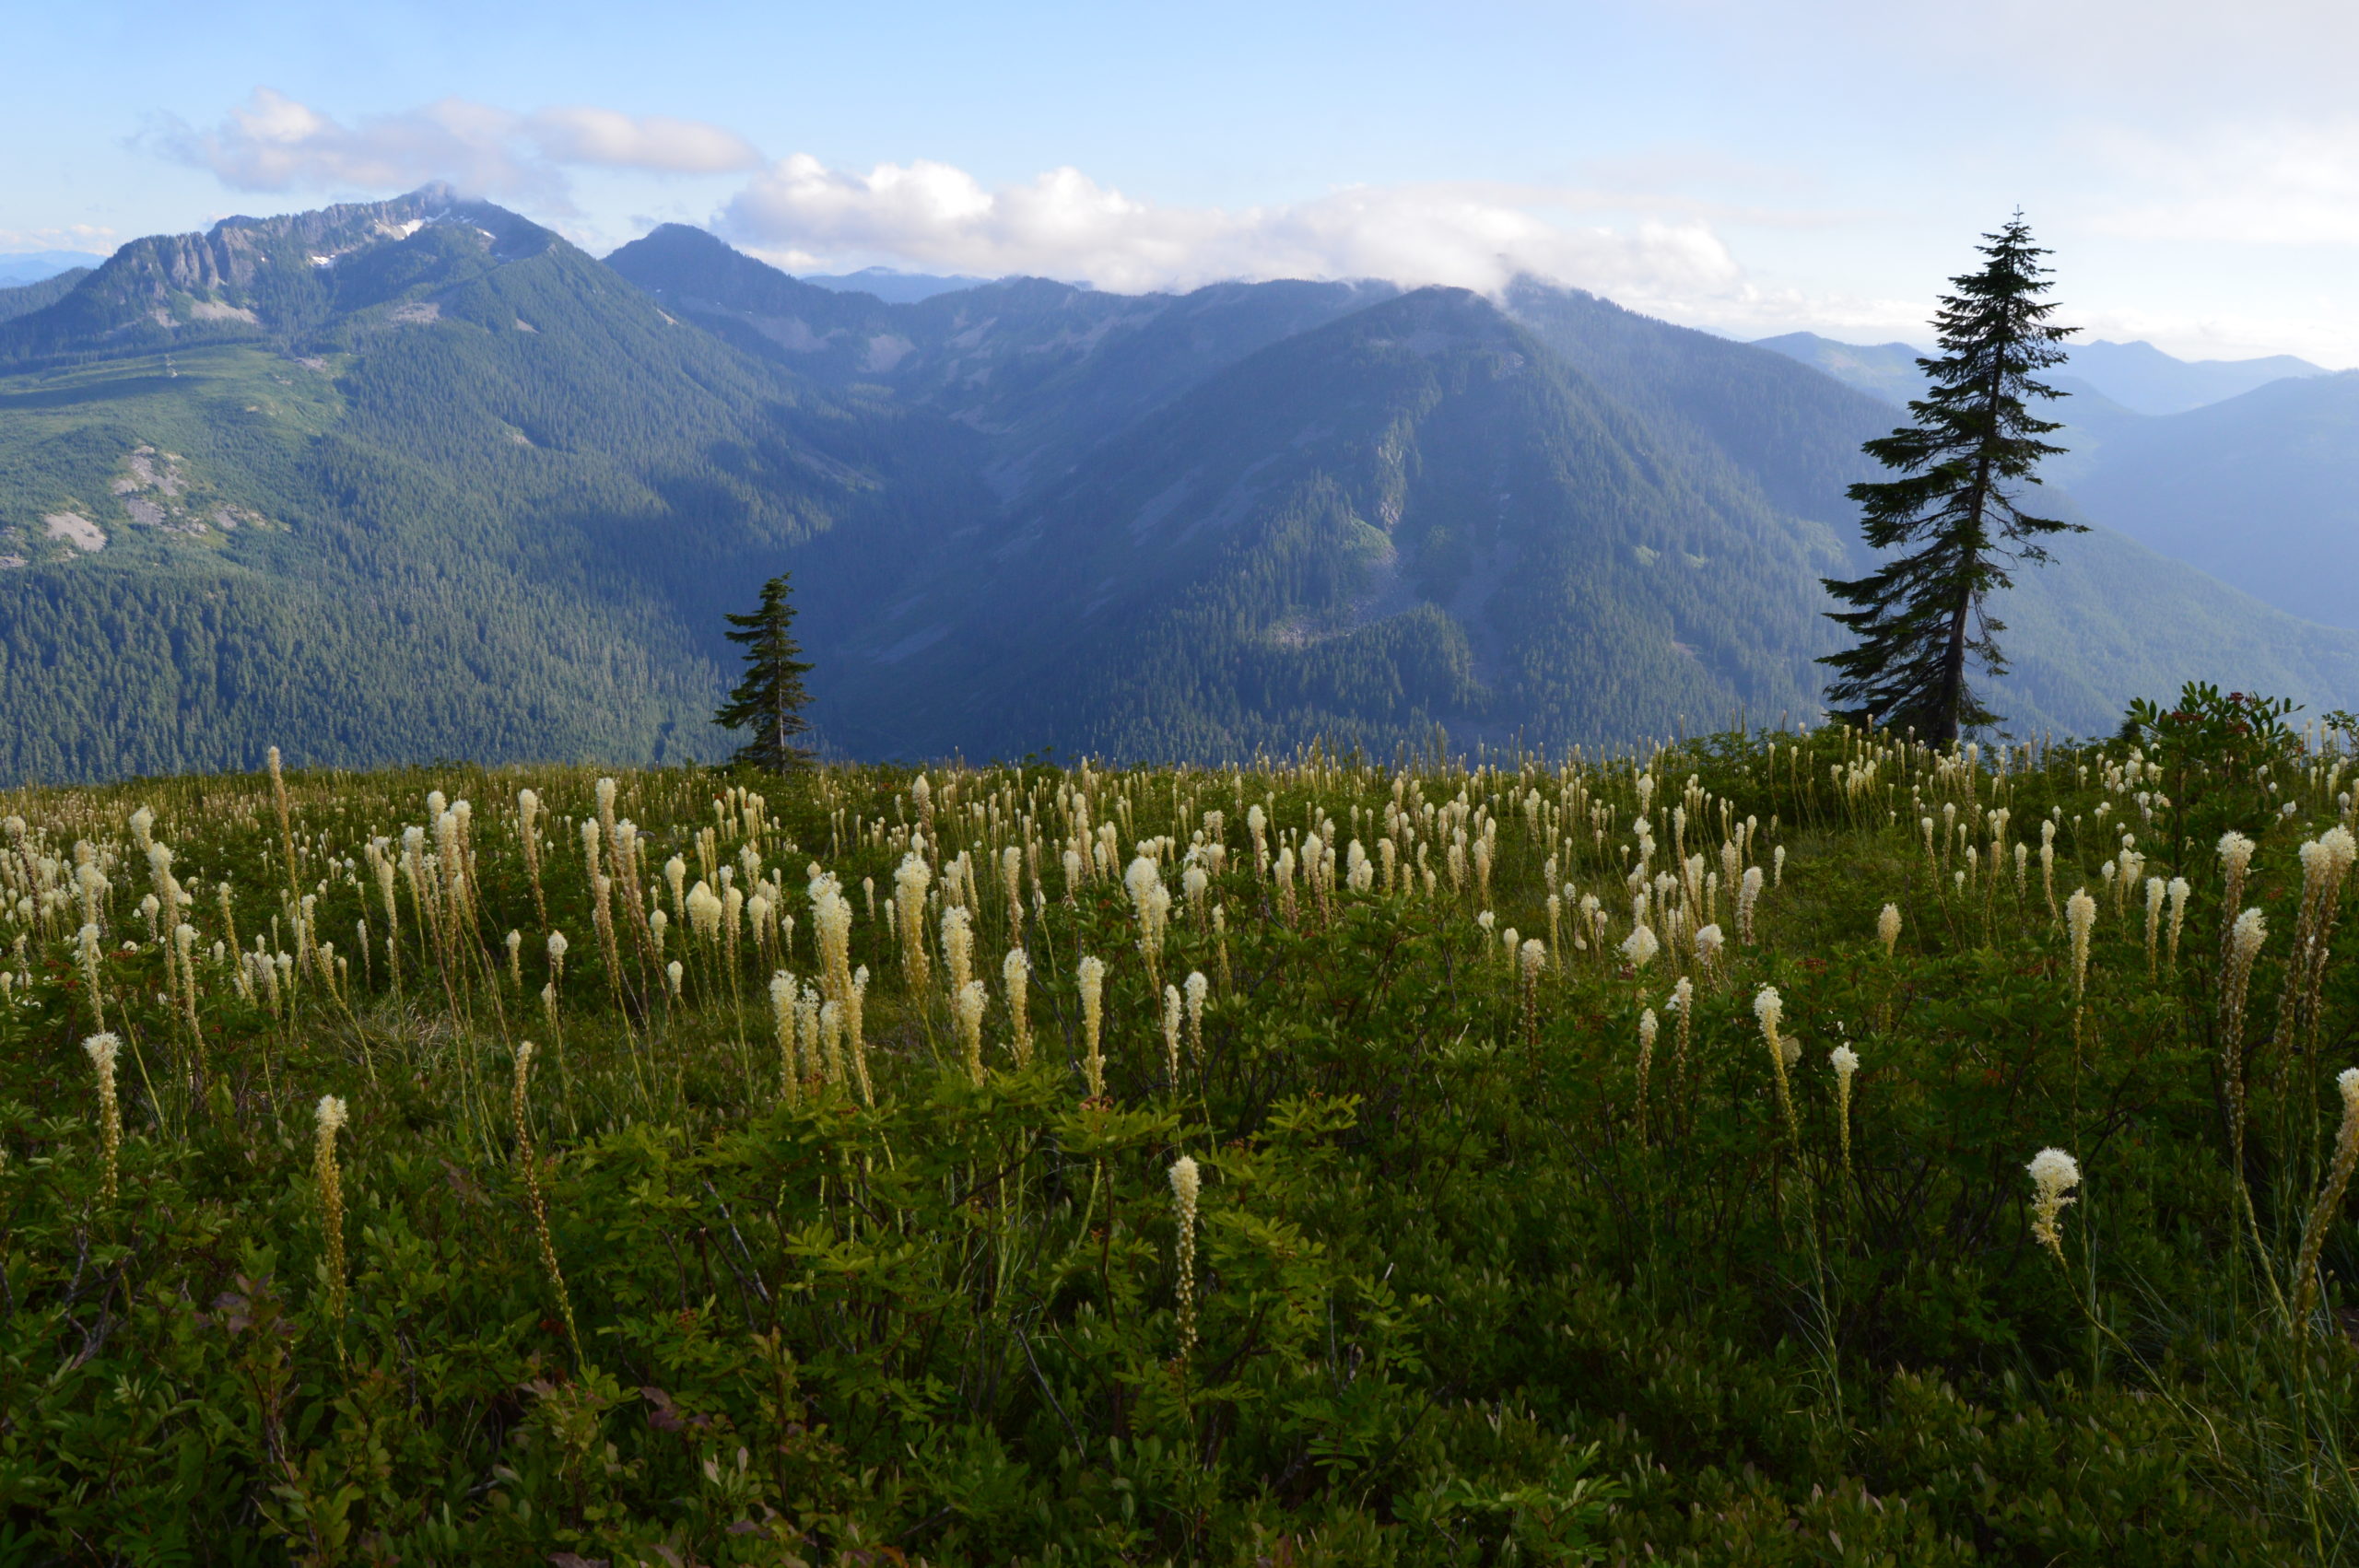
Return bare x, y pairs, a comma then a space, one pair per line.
421, 480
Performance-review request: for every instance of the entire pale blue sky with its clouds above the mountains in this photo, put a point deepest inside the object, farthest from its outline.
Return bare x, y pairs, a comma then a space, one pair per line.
1754, 169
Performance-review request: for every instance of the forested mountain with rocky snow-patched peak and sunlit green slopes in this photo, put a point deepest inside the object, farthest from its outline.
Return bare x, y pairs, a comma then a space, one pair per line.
461, 492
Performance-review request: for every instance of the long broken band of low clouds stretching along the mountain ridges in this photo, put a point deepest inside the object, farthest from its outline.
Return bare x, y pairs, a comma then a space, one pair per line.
1655, 253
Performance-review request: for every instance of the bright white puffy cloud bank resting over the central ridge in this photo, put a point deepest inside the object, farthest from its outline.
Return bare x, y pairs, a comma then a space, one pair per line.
1067, 225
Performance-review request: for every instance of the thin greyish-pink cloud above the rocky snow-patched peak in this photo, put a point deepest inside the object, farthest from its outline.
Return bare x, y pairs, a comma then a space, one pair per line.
275, 143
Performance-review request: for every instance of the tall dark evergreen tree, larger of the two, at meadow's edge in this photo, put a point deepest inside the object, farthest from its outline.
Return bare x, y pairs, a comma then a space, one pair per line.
1964, 463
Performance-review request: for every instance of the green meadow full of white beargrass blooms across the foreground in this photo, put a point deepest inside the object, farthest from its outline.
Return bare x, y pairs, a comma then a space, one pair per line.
1294, 1220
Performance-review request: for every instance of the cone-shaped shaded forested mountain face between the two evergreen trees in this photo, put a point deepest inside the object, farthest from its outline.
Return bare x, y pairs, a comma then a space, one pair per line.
1412, 515
